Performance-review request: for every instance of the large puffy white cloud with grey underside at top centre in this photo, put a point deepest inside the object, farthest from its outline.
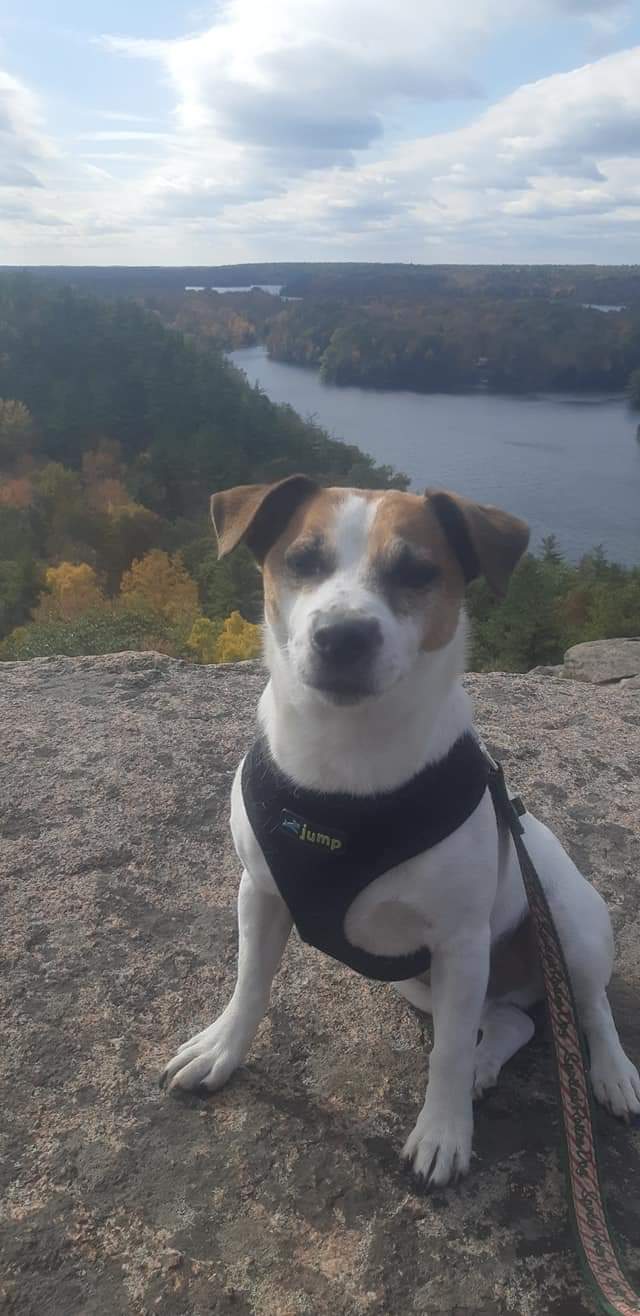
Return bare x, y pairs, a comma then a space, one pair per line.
310, 81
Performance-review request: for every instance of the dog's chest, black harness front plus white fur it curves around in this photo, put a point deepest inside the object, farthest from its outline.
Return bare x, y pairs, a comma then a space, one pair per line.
371, 881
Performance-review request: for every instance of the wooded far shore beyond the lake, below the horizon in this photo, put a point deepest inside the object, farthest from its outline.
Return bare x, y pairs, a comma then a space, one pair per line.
455, 345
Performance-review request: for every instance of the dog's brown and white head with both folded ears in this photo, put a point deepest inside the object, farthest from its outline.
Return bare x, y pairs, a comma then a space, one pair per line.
359, 584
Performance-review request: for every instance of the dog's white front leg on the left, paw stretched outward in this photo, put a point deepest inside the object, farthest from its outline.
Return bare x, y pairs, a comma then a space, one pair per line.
211, 1056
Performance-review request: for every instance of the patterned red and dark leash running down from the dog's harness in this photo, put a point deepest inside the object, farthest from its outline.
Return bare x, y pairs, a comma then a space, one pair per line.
597, 1248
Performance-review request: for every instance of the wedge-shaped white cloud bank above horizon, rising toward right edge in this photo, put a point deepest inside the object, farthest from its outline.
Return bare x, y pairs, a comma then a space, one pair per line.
564, 151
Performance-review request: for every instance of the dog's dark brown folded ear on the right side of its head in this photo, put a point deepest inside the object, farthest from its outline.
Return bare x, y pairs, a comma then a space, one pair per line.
485, 540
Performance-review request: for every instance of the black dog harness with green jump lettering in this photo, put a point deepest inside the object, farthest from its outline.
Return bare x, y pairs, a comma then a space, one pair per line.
323, 849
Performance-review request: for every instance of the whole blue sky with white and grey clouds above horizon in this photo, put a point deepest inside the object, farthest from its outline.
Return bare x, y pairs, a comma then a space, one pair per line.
419, 131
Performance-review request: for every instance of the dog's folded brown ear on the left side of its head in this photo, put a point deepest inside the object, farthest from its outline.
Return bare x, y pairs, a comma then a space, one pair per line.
257, 514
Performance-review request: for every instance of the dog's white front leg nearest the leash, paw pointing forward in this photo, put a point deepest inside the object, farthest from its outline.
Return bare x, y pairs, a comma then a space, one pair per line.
440, 1146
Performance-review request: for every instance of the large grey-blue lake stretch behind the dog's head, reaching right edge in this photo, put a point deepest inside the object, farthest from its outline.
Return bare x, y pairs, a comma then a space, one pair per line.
570, 465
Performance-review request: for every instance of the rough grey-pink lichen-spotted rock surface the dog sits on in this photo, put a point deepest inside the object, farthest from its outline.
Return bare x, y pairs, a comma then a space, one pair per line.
282, 1194
